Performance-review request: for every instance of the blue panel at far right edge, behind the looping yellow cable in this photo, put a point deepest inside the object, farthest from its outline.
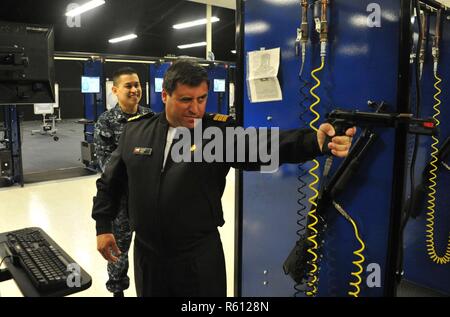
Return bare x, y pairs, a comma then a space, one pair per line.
419, 268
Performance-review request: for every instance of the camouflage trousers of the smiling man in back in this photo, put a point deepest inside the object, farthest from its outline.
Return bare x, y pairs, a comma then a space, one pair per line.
118, 278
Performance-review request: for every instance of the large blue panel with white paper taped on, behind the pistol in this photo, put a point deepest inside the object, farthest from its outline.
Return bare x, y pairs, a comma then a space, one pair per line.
361, 66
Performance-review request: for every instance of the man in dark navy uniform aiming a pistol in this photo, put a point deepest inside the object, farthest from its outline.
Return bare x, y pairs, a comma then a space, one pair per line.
175, 207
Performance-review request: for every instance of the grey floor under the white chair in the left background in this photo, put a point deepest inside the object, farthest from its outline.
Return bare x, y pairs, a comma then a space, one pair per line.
41, 153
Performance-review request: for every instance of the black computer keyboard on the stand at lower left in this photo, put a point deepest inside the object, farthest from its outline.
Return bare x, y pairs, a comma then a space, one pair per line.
43, 262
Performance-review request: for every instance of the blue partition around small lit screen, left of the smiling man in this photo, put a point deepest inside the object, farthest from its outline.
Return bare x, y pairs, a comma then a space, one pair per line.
94, 105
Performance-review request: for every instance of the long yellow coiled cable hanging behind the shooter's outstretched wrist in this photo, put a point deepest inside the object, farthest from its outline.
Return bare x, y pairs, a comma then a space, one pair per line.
313, 279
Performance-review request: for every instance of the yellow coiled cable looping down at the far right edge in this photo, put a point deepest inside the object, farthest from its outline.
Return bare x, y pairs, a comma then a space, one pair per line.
431, 247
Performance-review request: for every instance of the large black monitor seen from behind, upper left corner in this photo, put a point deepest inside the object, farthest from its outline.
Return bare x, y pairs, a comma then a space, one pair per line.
27, 72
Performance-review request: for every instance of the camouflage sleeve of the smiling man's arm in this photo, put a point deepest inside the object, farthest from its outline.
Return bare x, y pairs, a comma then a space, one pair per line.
104, 142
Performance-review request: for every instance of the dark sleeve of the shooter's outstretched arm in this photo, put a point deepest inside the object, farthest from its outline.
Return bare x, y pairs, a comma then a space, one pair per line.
295, 146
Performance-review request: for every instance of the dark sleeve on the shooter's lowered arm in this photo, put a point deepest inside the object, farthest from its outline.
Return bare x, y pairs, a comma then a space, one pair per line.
110, 188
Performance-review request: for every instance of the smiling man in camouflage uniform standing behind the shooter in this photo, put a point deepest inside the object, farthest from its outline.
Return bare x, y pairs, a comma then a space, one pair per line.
107, 132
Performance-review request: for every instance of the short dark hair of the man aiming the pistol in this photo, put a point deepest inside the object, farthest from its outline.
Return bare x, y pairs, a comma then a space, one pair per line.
185, 72
